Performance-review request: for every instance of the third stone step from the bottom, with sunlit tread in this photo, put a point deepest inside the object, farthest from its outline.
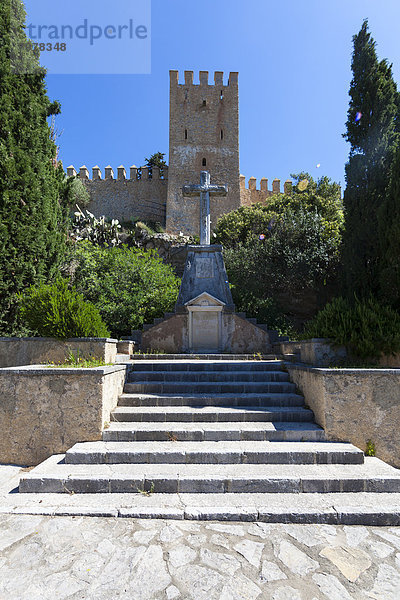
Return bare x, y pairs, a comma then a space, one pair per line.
243, 452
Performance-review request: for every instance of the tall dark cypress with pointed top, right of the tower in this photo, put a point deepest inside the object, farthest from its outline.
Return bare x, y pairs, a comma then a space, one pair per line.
372, 130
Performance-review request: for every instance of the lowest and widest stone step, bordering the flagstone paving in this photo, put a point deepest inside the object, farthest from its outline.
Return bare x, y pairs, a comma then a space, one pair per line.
363, 508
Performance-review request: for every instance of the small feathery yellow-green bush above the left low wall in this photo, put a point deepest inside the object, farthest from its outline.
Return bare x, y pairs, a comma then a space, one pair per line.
60, 312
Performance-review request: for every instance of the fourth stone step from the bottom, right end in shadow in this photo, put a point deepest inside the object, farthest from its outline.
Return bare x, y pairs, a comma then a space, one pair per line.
140, 432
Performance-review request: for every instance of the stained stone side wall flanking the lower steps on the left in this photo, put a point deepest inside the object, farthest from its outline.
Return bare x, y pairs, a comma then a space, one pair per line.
44, 411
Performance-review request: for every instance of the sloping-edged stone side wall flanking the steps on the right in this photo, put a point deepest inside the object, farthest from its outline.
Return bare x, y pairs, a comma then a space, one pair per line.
355, 405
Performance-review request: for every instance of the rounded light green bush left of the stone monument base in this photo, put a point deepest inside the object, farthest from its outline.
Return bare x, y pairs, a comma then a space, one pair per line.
129, 286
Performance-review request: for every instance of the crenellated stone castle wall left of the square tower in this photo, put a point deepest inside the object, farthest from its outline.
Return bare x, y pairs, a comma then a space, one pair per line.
137, 197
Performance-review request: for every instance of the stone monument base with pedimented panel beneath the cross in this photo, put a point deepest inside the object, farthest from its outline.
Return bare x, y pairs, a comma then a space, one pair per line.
205, 320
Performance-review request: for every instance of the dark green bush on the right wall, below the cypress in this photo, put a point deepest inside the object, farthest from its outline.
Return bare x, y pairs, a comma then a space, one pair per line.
366, 328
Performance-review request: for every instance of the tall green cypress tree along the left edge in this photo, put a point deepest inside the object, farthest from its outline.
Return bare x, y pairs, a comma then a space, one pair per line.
33, 189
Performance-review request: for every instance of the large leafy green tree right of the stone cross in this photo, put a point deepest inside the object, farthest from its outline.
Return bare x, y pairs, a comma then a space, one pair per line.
284, 249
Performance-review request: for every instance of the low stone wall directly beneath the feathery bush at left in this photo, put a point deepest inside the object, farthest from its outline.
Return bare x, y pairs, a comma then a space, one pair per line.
15, 352
